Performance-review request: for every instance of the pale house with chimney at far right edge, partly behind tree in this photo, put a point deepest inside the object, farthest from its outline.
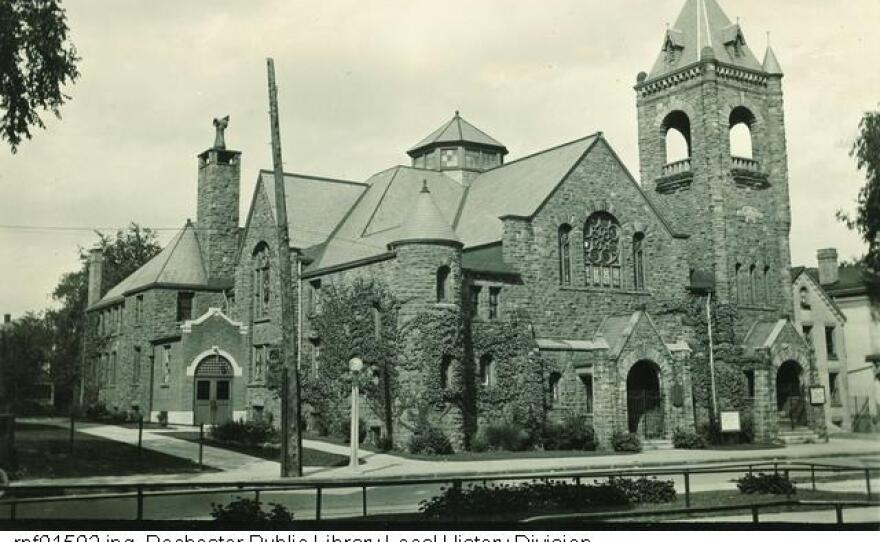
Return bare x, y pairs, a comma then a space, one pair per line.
847, 286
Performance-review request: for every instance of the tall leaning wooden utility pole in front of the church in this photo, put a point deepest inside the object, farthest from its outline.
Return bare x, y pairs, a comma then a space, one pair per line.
291, 432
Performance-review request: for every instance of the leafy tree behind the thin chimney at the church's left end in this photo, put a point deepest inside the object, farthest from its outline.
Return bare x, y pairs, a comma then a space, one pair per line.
124, 252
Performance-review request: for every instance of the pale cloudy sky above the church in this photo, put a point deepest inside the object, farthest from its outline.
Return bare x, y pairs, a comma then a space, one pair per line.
361, 82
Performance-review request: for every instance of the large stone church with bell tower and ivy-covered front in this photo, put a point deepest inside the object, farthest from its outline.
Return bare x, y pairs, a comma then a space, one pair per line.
594, 259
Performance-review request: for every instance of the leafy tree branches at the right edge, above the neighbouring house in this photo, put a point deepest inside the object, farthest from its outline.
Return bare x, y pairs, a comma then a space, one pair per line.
866, 151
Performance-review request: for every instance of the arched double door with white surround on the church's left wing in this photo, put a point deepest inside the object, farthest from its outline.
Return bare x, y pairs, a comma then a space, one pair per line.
213, 391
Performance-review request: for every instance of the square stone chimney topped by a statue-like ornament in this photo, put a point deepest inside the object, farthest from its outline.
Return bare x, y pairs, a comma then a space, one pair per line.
217, 209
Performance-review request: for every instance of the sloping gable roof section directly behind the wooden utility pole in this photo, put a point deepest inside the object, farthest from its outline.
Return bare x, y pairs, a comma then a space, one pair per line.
315, 205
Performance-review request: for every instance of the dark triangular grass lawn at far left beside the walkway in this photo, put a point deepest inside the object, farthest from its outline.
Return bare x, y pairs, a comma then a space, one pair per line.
43, 451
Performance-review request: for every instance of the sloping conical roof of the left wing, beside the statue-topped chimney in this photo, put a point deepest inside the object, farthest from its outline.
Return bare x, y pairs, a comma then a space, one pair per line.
180, 263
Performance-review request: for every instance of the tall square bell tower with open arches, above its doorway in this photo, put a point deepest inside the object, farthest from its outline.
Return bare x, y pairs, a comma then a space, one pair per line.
713, 156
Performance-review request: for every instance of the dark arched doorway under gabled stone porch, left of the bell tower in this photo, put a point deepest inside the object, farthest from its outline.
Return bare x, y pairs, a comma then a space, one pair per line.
644, 400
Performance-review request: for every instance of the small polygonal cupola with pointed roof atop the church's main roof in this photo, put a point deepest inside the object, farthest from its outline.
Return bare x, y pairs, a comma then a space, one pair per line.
459, 149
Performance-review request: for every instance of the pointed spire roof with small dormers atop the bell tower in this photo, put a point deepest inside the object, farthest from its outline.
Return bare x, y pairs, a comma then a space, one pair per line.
702, 23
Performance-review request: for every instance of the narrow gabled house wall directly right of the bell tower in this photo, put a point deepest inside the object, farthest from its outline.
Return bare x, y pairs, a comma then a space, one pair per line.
823, 325
